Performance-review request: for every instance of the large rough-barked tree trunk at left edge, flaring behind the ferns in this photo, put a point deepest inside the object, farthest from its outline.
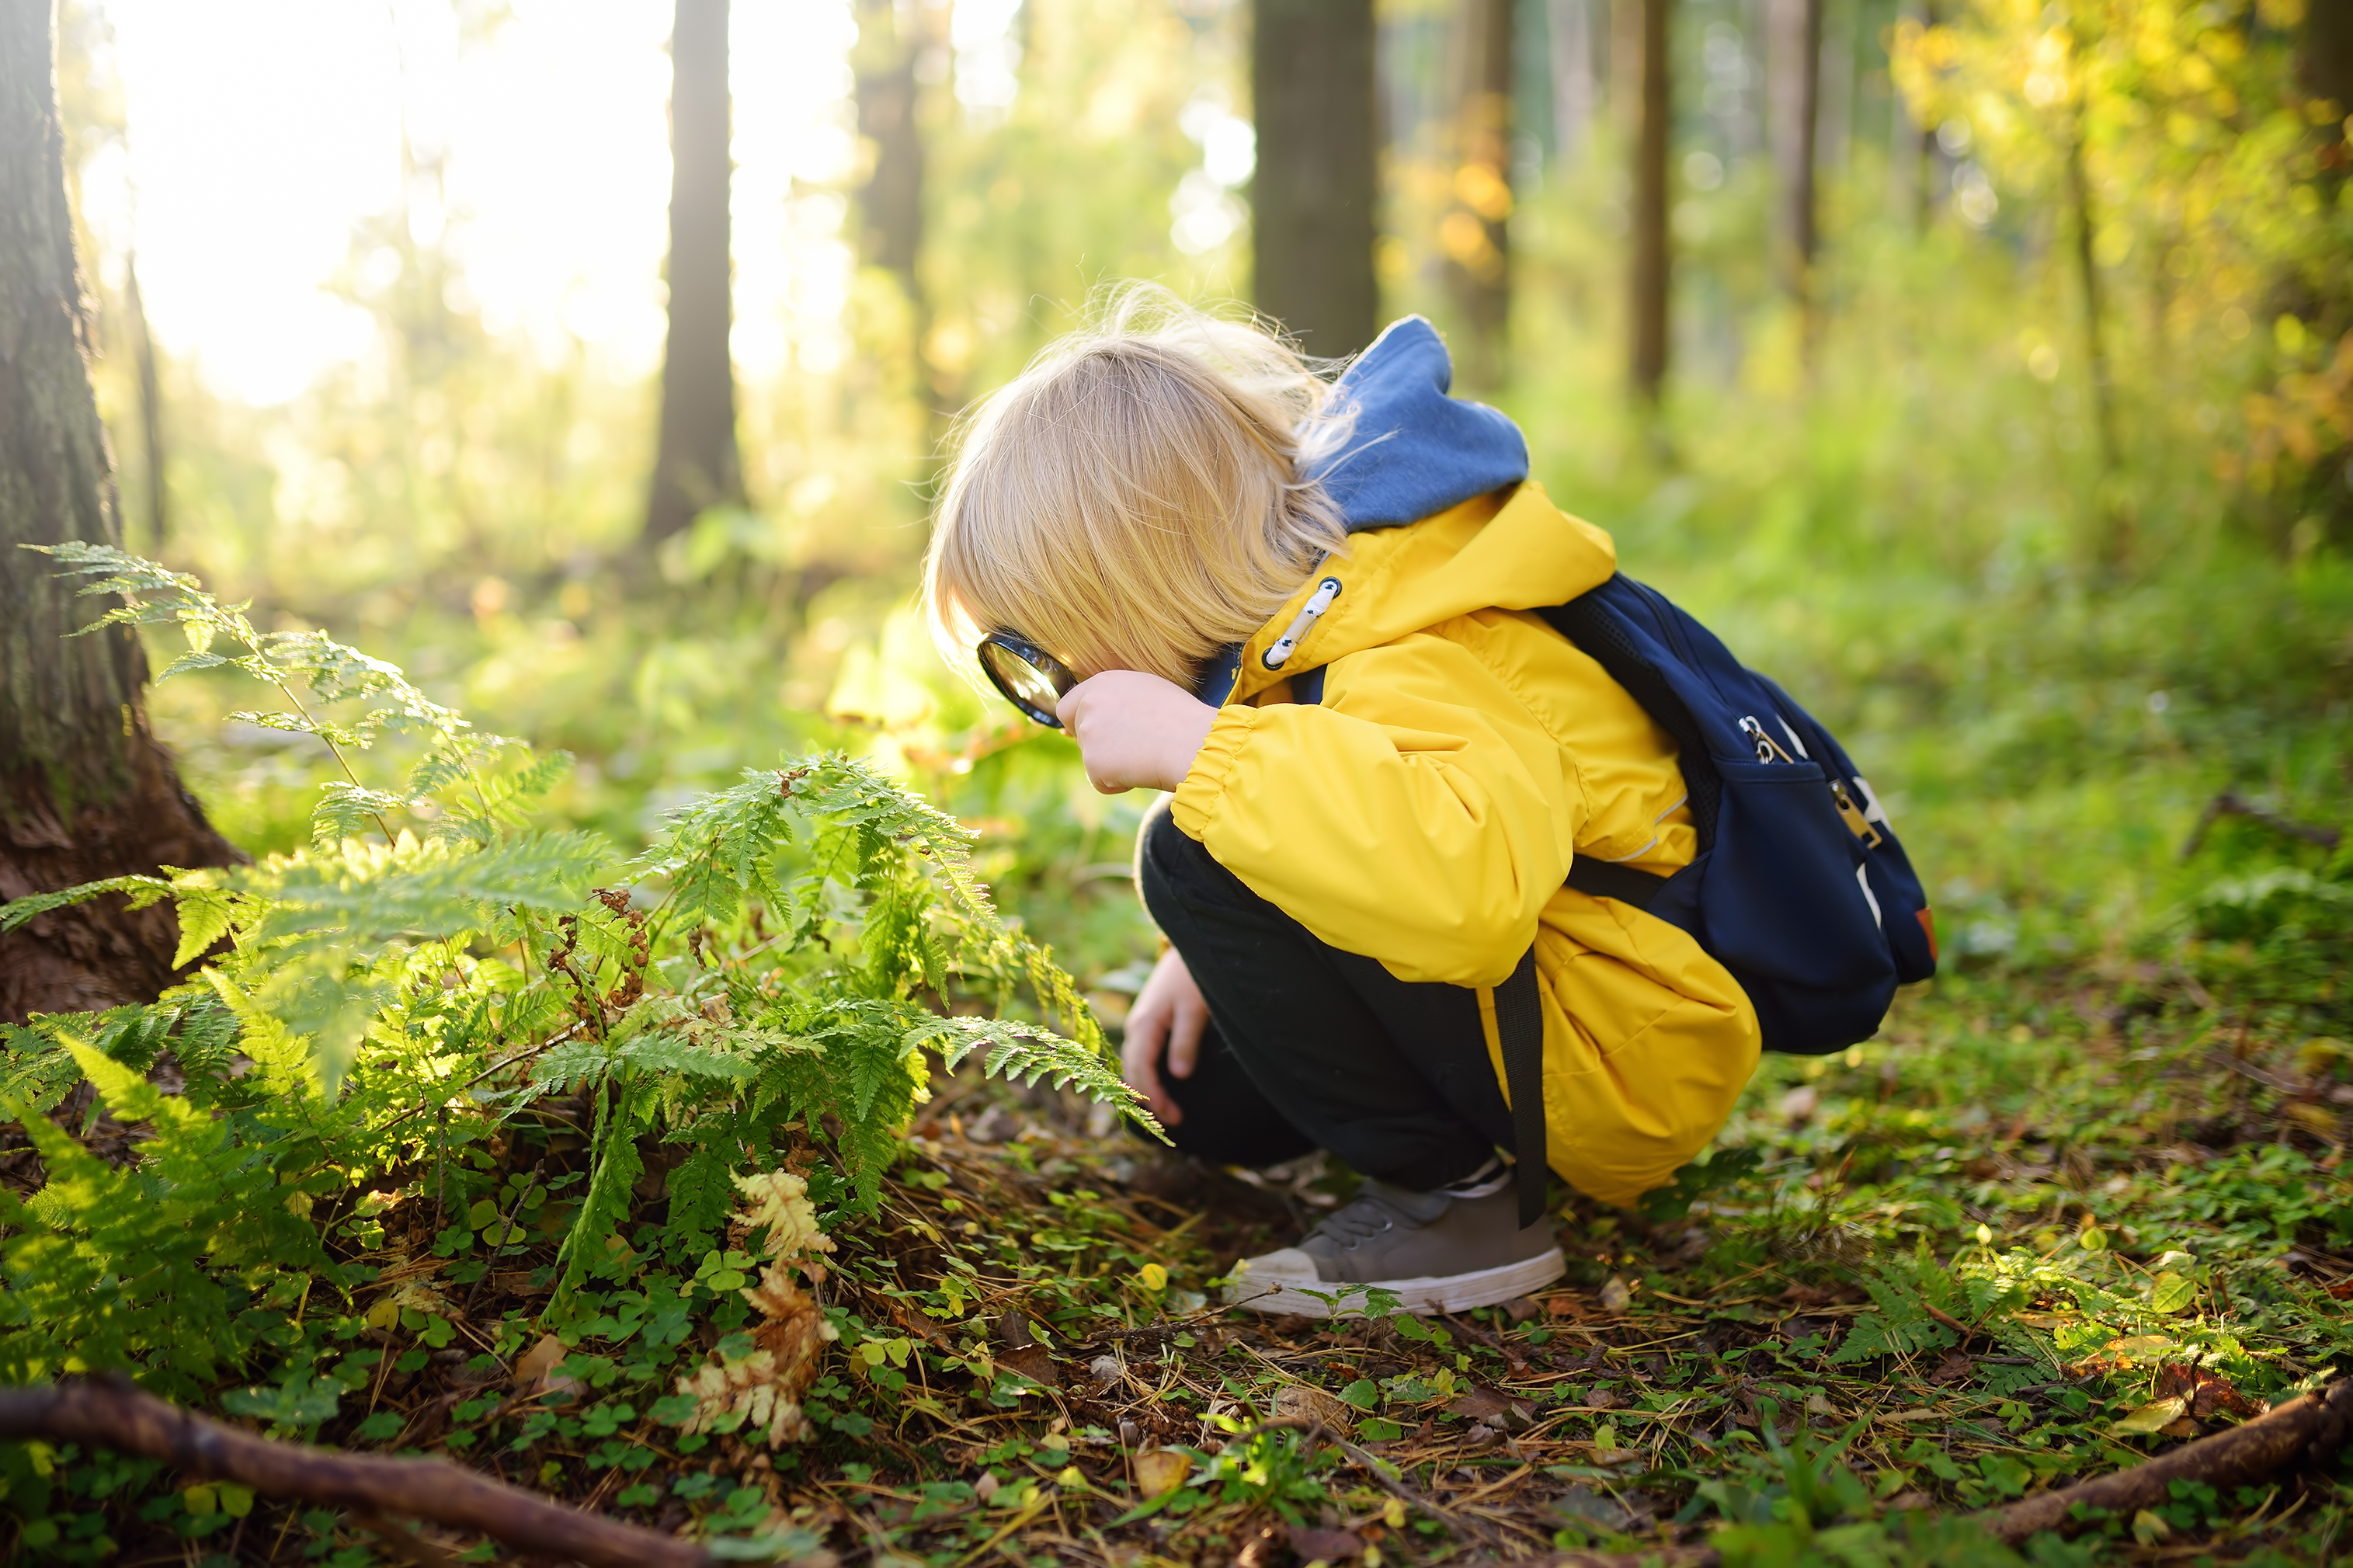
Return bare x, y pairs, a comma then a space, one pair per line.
86, 792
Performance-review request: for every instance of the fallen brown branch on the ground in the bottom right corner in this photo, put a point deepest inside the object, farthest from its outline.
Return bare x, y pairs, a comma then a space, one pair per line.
2309, 1426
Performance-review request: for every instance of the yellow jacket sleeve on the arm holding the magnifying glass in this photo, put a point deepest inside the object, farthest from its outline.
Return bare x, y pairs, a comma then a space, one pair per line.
1420, 816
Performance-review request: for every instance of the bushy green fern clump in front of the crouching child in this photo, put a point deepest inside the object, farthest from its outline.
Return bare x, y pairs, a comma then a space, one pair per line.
775, 971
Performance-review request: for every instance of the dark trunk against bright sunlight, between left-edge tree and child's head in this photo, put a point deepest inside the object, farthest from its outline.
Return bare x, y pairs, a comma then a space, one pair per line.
695, 463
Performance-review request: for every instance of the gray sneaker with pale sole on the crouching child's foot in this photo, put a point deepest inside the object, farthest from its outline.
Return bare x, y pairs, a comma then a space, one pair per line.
1437, 1251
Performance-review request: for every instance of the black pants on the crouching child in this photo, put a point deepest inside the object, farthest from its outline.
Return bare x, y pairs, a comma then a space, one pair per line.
1309, 1047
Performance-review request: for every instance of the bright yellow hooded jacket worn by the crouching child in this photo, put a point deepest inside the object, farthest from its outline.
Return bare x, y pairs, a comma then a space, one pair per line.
1425, 813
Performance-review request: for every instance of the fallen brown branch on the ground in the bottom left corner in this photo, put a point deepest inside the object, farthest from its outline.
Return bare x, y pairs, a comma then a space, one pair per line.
109, 1411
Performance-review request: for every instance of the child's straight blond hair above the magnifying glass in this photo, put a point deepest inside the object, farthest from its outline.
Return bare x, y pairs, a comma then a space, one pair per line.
1140, 496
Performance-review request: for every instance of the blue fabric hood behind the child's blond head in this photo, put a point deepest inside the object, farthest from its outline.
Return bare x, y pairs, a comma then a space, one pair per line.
1411, 451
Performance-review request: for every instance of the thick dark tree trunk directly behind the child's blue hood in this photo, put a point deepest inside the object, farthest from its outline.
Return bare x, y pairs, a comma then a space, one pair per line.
1317, 192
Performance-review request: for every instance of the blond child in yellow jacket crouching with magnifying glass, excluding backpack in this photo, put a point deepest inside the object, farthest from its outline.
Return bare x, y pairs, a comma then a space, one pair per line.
1305, 611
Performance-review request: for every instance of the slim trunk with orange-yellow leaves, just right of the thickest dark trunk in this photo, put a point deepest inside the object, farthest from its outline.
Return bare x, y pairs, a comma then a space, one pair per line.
1477, 230
